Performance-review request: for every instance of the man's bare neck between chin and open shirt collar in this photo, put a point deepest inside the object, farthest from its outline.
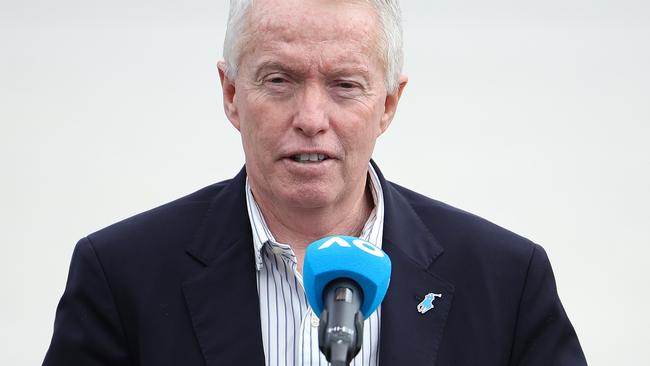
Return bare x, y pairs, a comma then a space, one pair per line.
300, 227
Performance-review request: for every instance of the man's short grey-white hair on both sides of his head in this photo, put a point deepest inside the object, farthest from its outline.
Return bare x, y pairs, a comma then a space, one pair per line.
390, 38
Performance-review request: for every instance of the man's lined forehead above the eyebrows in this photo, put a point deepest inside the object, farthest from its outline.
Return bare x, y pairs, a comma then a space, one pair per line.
334, 31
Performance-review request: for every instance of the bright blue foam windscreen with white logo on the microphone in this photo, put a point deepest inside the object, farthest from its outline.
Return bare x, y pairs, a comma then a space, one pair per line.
346, 257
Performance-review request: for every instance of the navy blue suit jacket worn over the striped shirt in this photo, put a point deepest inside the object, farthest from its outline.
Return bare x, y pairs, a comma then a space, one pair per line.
177, 286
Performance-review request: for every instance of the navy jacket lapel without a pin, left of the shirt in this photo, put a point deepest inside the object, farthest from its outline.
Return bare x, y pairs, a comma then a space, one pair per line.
222, 298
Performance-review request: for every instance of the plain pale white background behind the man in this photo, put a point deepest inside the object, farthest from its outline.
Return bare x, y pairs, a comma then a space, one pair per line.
535, 115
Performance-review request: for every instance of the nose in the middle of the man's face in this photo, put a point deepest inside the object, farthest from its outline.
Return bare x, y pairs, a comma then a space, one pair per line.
311, 116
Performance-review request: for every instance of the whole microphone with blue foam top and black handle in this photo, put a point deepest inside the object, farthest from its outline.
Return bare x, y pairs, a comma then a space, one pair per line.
345, 279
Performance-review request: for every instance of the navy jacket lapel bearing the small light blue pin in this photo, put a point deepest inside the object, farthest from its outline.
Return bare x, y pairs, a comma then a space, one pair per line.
409, 337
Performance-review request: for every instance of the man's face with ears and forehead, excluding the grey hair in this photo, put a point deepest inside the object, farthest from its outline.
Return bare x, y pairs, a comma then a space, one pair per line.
309, 100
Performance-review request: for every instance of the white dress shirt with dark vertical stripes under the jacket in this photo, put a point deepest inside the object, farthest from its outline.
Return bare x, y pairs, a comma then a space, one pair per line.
289, 327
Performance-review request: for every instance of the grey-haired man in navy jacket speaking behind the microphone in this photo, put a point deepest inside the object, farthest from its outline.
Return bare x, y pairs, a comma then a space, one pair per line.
214, 278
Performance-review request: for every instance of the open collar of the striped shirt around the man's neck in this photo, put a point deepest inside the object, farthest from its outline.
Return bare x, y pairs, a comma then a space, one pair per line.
372, 230
